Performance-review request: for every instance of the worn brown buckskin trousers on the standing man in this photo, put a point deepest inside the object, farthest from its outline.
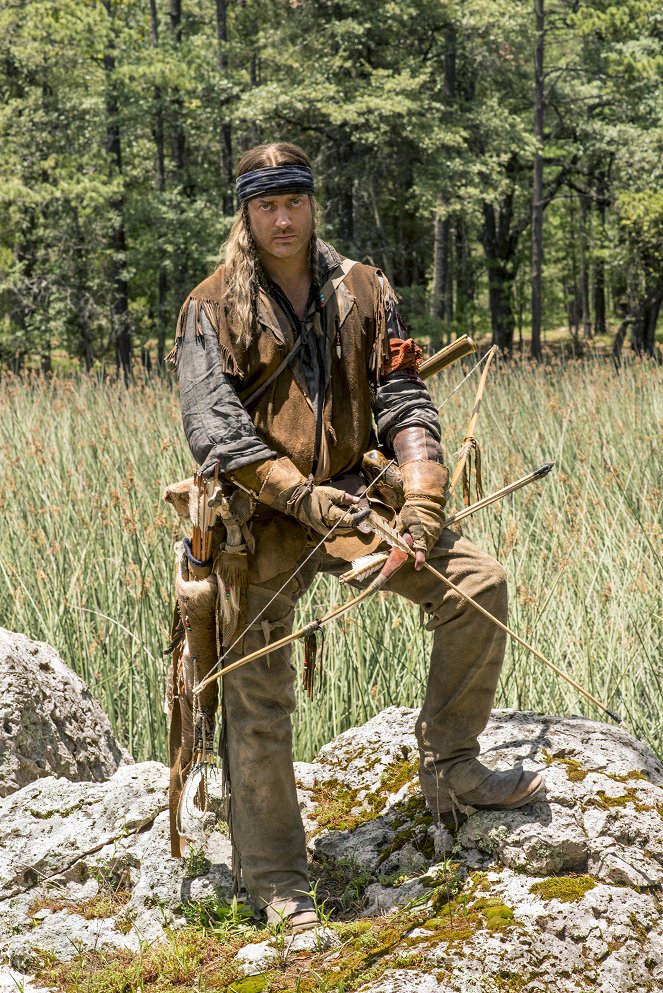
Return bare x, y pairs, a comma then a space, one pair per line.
259, 698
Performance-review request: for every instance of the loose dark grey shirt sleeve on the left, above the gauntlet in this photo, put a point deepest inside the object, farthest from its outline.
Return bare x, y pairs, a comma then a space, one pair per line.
217, 427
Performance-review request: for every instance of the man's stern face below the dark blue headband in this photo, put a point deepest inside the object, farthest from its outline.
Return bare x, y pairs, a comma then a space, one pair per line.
281, 225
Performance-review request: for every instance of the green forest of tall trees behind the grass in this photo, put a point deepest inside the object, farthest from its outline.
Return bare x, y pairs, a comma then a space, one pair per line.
501, 160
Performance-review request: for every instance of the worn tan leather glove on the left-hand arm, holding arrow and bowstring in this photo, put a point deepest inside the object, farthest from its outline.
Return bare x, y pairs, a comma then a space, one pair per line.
280, 484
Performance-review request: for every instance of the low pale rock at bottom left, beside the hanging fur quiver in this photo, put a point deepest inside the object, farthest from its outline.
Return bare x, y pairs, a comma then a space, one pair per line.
87, 865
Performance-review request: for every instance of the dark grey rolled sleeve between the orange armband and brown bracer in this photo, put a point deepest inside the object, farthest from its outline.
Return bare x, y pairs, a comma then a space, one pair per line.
402, 401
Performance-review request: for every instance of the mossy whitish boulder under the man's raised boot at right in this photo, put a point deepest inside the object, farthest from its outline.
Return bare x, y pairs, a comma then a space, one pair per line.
563, 894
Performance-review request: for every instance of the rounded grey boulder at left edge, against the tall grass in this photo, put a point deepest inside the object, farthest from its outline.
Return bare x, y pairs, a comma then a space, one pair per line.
49, 723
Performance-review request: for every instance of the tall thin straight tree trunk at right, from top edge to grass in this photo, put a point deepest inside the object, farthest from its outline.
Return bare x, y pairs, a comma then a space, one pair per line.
537, 186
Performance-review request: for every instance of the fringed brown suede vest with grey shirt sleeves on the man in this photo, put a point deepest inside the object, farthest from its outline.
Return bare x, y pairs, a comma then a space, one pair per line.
353, 358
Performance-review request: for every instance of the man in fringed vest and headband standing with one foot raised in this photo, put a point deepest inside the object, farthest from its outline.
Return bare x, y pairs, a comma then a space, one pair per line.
282, 355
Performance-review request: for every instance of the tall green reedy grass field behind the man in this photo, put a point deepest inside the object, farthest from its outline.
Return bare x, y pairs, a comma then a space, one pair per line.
86, 560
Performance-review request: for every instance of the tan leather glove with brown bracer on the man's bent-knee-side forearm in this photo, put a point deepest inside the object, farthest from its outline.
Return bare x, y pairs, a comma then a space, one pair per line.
425, 481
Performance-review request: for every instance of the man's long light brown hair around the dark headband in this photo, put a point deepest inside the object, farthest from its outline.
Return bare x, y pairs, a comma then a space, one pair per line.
244, 273
